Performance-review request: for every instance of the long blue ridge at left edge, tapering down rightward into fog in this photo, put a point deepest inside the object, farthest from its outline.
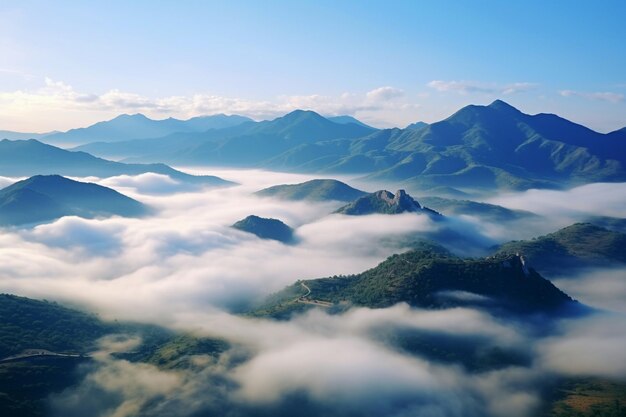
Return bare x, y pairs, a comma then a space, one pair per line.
31, 157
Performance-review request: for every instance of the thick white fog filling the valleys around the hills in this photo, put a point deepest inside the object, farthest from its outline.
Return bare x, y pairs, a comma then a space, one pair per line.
185, 268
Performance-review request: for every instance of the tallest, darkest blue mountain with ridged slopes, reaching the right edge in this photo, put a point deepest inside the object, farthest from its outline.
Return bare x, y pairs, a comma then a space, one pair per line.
499, 146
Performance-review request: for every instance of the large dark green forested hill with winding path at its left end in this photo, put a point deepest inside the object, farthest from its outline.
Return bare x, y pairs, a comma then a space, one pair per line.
429, 279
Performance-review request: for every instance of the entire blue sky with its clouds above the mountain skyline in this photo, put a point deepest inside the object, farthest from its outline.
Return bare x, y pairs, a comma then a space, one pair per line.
68, 63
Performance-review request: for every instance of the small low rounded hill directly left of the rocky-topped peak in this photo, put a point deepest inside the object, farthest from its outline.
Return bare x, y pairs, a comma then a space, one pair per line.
314, 190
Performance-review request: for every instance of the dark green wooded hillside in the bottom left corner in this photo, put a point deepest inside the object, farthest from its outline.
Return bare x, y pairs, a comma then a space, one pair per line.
27, 325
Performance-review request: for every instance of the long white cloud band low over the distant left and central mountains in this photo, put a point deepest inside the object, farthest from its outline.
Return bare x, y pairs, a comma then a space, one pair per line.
58, 106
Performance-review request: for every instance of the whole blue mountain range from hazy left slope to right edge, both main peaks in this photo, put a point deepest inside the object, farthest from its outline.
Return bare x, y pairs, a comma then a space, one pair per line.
478, 147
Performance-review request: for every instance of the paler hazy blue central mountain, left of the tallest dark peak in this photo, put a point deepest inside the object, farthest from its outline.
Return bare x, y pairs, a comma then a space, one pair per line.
248, 144
